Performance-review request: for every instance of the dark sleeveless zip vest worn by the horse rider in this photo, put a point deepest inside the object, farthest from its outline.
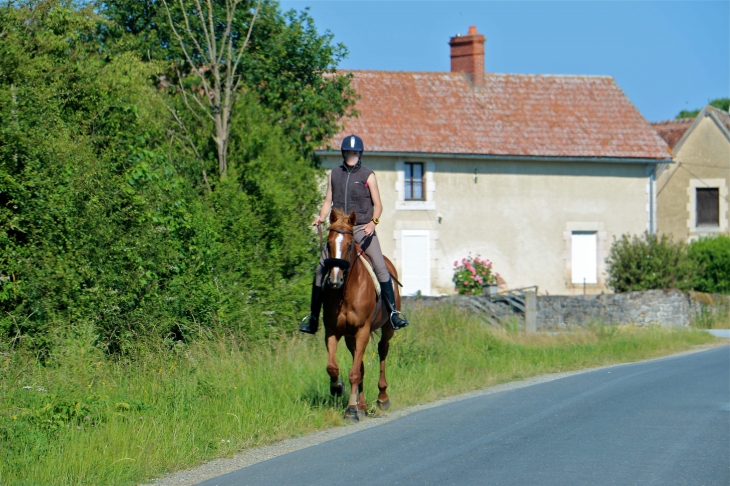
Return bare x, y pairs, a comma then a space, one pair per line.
349, 192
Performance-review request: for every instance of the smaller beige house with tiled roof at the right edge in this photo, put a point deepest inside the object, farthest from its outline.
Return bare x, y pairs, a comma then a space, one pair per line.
692, 193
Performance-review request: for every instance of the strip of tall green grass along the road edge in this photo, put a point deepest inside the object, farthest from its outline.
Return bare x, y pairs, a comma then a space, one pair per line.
90, 419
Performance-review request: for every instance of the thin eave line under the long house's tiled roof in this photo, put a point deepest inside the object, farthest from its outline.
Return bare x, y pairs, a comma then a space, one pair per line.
515, 158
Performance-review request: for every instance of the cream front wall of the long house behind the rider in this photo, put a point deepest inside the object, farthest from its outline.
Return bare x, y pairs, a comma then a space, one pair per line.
518, 214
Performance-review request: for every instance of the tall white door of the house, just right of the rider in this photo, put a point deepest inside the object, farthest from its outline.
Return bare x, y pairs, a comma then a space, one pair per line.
416, 261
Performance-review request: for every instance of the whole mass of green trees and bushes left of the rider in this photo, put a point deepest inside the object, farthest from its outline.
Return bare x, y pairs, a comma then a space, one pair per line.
114, 213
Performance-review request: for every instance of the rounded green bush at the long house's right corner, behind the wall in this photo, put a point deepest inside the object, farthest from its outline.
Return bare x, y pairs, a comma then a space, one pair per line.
649, 262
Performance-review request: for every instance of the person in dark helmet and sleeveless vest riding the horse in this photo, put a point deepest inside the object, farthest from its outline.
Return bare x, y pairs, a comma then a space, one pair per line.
352, 187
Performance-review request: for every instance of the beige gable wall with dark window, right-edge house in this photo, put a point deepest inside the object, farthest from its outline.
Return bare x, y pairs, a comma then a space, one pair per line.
703, 160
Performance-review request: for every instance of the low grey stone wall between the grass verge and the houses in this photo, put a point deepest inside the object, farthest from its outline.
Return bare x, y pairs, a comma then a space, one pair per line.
663, 307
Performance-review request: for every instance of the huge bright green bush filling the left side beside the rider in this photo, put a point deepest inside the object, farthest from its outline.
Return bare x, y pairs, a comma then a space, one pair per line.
104, 217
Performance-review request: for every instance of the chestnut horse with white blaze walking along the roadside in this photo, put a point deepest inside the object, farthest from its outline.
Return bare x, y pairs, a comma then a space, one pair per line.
351, 310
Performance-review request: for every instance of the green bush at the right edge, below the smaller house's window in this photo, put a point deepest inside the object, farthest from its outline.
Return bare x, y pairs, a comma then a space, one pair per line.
712, 254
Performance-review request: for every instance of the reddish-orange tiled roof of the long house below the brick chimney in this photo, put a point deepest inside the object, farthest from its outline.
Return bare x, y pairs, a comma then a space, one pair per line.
573, 116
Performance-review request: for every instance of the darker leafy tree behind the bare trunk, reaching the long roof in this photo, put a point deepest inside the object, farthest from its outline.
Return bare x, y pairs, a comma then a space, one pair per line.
287, 65
